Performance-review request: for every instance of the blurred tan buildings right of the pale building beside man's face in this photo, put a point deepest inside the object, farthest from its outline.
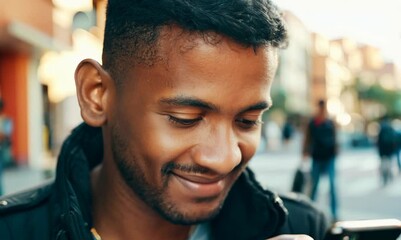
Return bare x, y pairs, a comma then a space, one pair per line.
344, 72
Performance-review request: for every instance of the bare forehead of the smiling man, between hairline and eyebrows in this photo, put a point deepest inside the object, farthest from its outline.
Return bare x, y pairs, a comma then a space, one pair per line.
205, 66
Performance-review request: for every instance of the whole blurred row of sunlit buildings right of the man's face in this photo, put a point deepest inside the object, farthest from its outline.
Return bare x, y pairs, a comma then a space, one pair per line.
352, 77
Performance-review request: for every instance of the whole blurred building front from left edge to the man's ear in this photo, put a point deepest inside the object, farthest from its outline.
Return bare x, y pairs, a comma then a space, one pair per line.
41, 43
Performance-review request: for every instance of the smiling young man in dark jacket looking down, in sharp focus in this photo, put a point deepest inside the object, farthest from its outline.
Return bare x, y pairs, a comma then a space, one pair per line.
172, 118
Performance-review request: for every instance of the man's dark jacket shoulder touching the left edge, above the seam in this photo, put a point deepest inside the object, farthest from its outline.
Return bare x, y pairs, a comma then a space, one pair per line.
25, 199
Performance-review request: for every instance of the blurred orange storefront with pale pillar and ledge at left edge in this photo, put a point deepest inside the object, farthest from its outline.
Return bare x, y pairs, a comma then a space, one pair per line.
27, 30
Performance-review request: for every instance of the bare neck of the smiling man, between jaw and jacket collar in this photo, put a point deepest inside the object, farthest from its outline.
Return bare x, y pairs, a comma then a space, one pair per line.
119, 214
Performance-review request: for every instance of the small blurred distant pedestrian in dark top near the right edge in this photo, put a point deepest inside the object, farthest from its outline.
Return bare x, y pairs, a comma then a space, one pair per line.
387, 147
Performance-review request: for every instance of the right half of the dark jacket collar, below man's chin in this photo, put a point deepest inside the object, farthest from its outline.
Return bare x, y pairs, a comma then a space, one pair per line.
249, 212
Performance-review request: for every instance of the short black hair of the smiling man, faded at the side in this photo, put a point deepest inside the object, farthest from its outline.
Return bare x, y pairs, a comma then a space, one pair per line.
133, 26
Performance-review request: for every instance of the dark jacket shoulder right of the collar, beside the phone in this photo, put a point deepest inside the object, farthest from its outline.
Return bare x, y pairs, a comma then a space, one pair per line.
303, 217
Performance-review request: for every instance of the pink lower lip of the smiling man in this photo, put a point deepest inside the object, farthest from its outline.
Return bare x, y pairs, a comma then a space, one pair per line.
201, 189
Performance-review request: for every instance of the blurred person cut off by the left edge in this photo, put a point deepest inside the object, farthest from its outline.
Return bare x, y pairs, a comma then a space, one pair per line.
6, 127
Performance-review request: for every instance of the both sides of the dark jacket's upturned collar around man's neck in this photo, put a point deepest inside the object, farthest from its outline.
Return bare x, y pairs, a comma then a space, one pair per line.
249, 212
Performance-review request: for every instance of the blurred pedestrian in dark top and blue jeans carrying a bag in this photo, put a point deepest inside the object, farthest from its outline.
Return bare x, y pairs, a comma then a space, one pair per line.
320, 144
